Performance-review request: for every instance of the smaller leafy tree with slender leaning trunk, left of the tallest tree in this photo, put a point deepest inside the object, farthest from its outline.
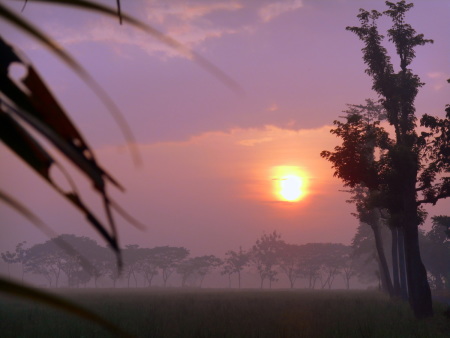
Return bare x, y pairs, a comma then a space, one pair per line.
362, 138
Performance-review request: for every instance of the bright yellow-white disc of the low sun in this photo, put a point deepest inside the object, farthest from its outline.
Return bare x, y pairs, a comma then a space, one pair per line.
289, 183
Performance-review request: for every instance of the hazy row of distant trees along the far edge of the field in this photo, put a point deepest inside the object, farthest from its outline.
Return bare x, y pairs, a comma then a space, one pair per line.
270, 258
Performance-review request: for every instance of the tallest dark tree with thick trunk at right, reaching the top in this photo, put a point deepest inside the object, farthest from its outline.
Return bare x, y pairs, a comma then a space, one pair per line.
412, 163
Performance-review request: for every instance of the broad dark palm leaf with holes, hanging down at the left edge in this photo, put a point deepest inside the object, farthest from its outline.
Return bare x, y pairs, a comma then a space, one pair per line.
36, 106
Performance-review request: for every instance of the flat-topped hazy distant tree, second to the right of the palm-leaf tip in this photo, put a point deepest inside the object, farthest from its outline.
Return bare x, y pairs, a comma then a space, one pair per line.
168, 258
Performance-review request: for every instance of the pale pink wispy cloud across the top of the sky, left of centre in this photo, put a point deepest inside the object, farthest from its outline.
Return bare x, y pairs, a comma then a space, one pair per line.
186, 23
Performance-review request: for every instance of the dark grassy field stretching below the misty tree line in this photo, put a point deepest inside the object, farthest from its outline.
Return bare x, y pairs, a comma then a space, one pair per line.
225, 313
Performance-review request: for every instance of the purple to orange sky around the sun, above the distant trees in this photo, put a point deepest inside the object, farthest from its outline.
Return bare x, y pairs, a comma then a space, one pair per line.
213, 159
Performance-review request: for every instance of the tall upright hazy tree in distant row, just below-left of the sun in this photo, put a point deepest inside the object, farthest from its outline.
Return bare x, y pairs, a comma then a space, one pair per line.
264, 256
